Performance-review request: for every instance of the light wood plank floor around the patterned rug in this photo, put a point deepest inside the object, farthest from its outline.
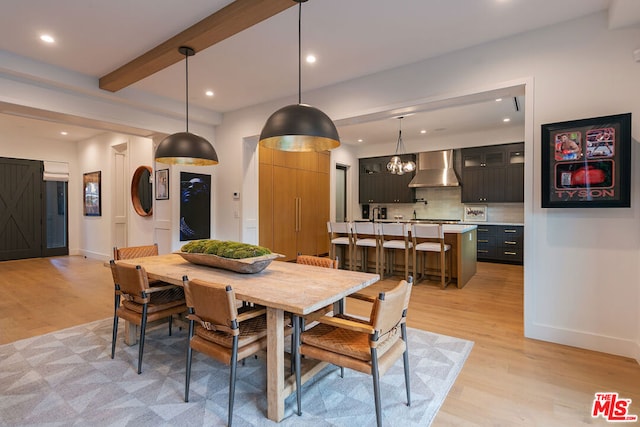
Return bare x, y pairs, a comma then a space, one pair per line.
508, 380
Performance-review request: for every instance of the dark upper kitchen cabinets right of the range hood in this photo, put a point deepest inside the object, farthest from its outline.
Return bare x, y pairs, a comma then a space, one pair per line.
493, 174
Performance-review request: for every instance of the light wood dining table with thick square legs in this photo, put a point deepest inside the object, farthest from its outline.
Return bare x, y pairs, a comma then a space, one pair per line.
281, 287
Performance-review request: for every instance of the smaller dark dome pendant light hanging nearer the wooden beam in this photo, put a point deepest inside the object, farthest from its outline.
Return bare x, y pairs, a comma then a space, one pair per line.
186, 148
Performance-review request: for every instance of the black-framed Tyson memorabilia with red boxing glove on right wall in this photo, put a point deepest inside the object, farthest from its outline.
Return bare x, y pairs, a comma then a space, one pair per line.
587, 163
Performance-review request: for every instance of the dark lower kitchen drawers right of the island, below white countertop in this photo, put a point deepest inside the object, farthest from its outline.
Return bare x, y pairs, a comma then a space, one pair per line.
501, 243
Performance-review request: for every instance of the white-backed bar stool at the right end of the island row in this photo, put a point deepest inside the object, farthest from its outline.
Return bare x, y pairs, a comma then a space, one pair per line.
429, 238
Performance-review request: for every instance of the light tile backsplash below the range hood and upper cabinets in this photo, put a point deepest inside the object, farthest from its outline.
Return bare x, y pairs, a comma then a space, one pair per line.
444, 203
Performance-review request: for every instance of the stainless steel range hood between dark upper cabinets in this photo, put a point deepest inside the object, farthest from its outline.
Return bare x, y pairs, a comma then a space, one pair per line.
435, 169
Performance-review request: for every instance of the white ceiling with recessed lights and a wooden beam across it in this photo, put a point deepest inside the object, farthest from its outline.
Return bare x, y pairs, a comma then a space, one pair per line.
351, 38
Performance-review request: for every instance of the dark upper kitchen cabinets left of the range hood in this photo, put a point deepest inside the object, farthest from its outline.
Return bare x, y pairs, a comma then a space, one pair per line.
377, 185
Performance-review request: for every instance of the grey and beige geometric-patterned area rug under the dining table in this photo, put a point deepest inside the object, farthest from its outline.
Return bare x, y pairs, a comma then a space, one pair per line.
68, 378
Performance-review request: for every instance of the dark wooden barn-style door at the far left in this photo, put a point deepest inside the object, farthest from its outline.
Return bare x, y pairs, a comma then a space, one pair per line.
20, 209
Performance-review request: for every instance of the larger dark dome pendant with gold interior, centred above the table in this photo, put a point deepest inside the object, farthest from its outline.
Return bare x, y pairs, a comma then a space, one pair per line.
299, 127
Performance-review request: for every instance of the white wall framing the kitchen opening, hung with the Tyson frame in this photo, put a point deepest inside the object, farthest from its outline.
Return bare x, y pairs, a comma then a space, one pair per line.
574, 70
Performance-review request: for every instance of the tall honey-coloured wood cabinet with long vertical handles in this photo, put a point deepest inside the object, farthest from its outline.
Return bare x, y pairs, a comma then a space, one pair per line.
294, 202
